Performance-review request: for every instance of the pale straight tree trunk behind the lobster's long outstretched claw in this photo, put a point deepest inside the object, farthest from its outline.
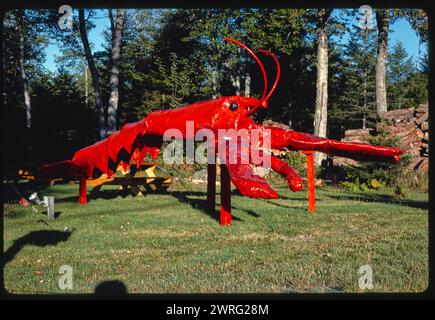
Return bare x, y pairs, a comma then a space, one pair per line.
321, 112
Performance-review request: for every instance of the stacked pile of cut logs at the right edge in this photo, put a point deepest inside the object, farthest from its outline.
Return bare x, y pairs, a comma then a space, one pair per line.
410, 125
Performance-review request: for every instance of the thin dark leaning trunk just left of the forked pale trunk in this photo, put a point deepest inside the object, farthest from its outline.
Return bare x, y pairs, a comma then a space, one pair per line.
94, 75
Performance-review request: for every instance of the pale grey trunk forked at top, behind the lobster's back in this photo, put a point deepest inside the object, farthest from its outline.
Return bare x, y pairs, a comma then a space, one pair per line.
117, 29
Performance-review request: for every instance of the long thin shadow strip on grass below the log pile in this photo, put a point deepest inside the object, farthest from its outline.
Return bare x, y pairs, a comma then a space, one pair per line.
381, 199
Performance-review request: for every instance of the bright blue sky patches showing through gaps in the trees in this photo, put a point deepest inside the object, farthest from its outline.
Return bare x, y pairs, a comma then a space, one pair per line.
400, 31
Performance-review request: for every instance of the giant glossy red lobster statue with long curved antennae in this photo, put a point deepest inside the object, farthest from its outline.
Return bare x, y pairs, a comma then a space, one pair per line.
135, 140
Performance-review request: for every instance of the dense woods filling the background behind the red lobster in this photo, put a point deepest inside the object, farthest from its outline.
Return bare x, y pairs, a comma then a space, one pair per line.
336, 75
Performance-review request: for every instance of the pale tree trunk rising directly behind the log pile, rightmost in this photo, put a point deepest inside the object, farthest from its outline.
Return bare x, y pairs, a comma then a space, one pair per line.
383, 21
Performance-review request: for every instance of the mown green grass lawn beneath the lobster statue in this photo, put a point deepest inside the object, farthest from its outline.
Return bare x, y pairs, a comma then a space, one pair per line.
166, 243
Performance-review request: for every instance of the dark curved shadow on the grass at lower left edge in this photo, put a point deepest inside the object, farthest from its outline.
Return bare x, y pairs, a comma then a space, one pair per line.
40, 238
